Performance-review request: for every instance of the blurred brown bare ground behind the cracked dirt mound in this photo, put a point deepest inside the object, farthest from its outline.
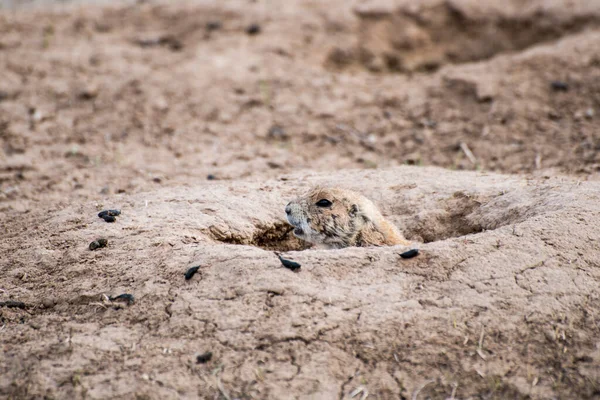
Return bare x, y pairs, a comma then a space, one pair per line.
103, 97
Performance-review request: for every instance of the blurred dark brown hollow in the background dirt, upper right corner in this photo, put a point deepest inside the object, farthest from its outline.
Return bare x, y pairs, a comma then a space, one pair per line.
442, 33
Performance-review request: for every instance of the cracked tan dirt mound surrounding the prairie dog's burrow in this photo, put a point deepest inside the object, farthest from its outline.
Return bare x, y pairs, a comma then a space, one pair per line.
507, 312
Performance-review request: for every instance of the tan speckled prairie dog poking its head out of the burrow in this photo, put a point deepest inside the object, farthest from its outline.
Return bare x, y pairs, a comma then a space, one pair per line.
350, 220
